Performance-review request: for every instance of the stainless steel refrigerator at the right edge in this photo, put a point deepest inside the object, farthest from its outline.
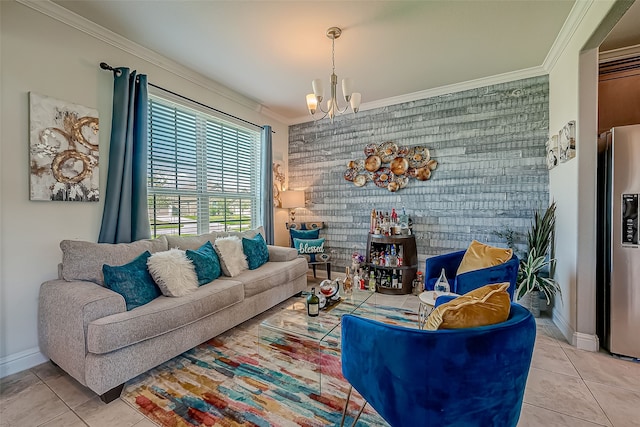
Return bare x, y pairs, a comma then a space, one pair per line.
618, 267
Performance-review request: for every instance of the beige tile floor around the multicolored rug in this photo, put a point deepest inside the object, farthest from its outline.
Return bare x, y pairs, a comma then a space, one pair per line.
566, 388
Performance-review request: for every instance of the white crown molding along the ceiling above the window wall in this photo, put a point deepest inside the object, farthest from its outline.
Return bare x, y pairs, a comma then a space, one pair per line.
80, 23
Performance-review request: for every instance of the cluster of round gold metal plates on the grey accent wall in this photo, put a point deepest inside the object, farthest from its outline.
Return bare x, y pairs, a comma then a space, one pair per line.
390, 166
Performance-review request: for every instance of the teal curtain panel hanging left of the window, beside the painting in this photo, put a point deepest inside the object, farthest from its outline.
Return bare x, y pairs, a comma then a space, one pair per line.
125, 217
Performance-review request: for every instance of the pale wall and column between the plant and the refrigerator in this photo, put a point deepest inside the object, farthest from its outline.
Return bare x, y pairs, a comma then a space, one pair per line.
572, 184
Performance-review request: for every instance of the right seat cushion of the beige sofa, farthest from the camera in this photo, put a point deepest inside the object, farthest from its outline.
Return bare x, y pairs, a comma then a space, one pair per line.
270, 275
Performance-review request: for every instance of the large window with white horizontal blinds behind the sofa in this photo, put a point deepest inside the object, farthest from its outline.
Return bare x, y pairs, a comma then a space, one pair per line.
202, 172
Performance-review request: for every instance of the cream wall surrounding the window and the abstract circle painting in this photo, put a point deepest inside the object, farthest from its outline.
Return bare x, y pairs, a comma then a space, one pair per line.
44, 55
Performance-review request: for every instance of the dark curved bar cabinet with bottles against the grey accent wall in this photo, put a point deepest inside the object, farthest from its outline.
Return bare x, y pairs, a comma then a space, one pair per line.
408, 269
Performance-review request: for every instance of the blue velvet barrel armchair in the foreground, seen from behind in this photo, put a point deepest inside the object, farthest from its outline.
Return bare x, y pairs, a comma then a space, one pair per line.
461, 377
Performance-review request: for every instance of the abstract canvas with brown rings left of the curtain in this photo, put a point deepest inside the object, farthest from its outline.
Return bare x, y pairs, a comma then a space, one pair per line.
64, 155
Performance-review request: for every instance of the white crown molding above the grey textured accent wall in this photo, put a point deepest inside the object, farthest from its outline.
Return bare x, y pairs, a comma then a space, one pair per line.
444, 90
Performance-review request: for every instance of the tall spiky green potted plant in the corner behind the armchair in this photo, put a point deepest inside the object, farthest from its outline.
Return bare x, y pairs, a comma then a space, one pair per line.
535, 268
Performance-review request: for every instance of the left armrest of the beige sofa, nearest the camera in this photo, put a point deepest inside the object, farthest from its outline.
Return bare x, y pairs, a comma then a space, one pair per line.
65, 310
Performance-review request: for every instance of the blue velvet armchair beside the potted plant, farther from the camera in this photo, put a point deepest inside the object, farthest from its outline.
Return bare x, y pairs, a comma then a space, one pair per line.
463, 283
